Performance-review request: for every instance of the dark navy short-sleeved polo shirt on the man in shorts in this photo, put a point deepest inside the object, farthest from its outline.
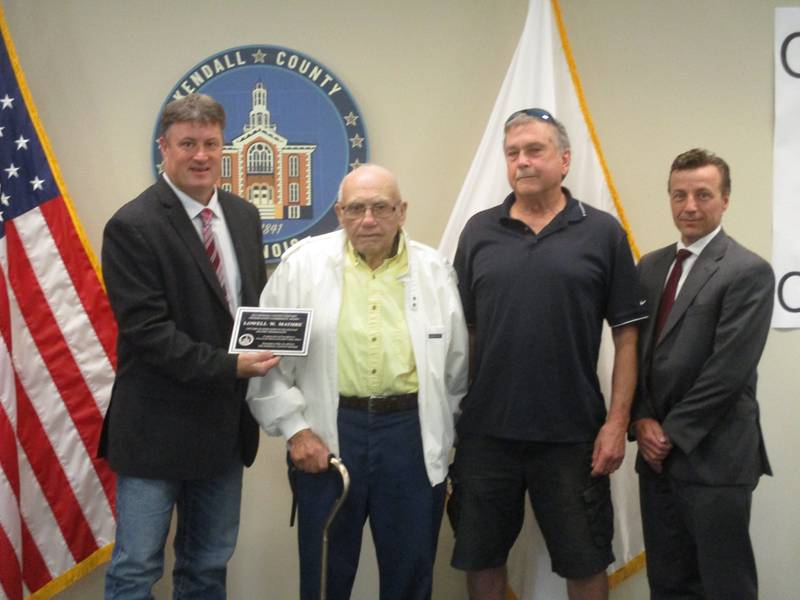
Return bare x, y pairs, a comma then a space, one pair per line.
537, 304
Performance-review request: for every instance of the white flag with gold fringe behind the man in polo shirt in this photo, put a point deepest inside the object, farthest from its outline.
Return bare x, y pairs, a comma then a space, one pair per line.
543, 74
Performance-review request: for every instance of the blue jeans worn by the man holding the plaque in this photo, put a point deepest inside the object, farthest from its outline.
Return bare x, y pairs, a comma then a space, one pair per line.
208, 524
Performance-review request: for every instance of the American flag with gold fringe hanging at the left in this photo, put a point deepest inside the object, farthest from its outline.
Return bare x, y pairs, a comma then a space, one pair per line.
57, 360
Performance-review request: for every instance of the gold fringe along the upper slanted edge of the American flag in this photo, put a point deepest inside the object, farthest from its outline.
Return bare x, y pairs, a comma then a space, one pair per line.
45, 142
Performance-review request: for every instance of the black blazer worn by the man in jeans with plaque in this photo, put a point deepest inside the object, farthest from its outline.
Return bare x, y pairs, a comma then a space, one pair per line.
177, 409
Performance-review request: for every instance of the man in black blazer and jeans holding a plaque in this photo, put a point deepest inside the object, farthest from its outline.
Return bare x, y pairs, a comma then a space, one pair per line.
178, 260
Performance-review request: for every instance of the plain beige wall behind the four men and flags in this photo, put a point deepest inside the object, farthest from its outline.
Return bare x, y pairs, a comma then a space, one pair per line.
660, 77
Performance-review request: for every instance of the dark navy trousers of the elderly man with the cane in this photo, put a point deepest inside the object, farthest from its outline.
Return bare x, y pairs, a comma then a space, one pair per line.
389, 484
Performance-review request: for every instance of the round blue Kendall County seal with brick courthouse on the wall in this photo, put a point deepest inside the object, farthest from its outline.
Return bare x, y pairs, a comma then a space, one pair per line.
292, 132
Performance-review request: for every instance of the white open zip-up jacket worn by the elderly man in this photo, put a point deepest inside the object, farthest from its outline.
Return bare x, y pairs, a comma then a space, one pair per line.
302, 392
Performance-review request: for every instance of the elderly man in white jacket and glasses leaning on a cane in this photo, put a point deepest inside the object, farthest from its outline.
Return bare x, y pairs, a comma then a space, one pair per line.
386, 369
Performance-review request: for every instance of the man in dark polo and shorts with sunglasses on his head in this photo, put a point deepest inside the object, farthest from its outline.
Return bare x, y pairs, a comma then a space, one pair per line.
537, 276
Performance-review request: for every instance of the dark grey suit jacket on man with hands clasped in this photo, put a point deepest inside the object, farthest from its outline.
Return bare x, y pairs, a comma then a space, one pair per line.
699, 378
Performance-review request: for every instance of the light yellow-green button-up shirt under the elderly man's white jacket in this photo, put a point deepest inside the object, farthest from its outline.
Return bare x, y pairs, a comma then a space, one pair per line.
374, 352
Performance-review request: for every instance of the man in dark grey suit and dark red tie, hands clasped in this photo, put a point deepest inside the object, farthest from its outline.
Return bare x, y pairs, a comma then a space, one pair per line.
696, 419
